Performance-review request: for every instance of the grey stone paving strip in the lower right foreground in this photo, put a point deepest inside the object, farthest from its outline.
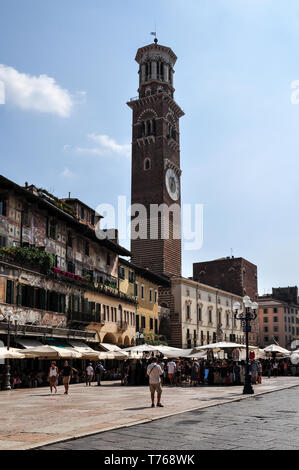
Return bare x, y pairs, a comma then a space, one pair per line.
268, 421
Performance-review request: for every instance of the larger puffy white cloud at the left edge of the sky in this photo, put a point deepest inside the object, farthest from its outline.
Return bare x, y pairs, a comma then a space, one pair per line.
40, 93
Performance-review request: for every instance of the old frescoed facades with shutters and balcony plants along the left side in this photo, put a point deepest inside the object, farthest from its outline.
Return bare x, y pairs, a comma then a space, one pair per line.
56, 274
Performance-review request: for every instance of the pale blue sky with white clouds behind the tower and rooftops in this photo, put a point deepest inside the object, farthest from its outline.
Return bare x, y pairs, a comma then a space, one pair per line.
67, 70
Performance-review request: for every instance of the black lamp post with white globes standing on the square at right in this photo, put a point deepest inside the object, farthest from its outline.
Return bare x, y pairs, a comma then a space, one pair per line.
249, 314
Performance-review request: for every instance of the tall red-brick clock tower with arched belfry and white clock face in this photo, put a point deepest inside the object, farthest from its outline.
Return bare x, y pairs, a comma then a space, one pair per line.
156, 162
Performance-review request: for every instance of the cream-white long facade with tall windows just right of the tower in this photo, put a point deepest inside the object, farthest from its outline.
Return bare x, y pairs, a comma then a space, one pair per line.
200, 314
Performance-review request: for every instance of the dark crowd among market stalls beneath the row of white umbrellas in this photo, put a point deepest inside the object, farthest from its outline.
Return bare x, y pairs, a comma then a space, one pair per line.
175, 372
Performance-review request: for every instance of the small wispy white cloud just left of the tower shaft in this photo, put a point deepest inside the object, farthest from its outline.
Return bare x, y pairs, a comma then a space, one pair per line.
105, 146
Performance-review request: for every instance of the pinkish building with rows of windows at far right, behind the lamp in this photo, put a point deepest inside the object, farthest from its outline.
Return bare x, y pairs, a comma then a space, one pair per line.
279, 317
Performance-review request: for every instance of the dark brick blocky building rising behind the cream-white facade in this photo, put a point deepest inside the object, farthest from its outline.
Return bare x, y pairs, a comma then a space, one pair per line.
235, 275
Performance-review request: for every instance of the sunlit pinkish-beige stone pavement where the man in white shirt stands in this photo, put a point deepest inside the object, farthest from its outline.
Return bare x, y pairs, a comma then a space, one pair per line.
34, 418
